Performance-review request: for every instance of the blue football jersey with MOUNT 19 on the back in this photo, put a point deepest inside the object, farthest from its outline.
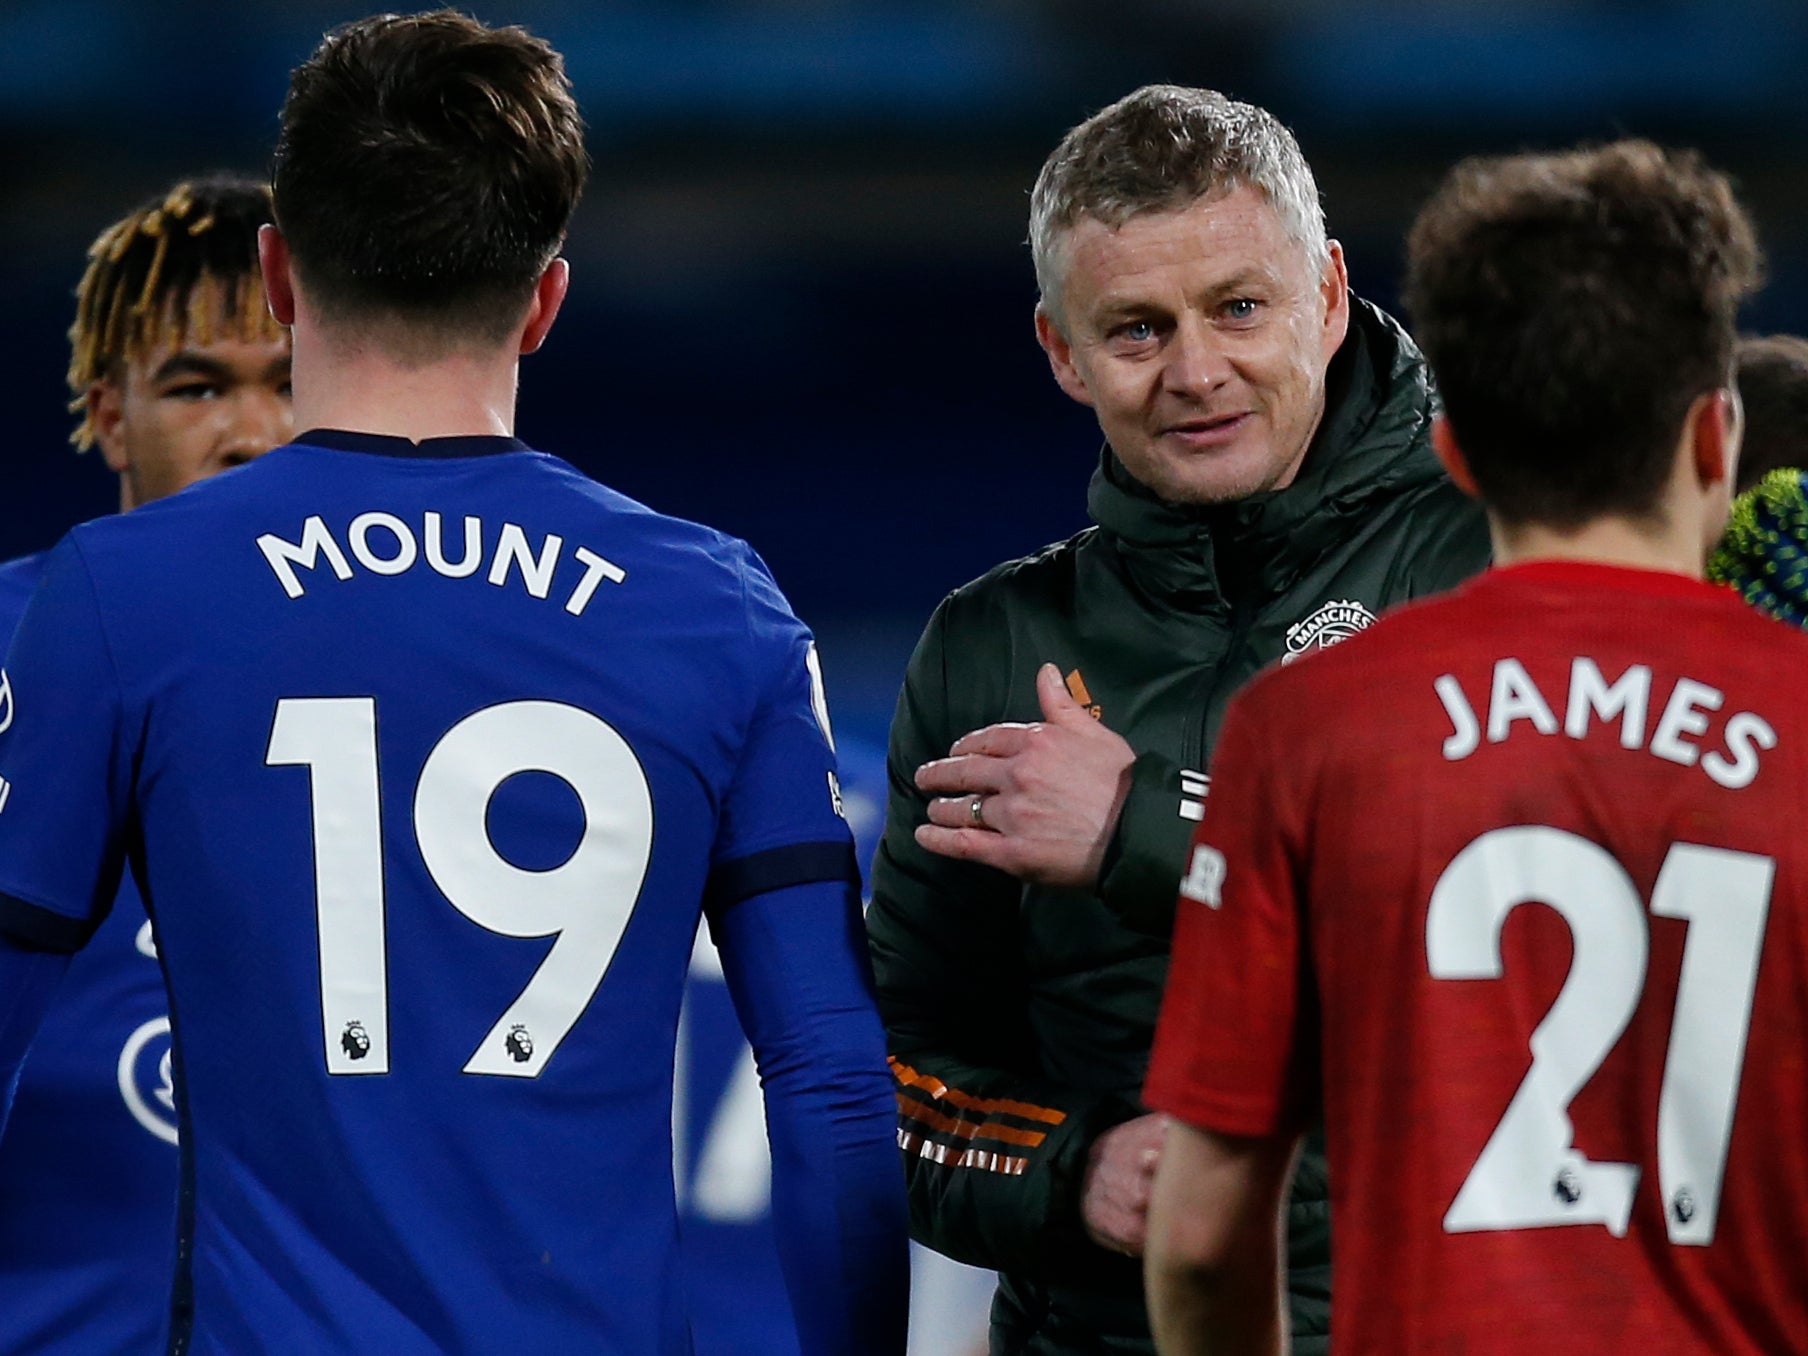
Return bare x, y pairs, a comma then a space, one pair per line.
428, 762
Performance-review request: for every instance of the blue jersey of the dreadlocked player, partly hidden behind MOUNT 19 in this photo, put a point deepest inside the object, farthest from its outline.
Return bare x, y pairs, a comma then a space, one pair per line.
88, 1167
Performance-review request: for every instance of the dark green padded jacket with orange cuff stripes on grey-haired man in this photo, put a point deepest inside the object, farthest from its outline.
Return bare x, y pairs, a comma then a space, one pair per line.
1021, 1019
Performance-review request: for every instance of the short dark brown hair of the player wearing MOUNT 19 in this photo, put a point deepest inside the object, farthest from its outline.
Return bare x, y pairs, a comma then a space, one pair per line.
428, 171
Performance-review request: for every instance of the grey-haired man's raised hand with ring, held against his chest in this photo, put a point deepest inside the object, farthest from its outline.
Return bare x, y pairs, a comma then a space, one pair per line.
1051, 793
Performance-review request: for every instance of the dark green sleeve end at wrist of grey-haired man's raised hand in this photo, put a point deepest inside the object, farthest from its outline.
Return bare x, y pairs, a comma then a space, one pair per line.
1142, 876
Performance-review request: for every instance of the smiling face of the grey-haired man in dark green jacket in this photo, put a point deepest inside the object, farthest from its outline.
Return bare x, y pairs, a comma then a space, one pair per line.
1201, 339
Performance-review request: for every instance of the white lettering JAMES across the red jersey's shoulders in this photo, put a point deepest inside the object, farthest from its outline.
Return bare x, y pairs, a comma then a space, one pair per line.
1514, 697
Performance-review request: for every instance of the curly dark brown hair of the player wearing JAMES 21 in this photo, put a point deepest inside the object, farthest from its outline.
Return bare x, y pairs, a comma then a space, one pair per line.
1574, 306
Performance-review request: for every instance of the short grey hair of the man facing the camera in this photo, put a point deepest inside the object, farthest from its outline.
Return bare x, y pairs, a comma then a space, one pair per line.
1163, 149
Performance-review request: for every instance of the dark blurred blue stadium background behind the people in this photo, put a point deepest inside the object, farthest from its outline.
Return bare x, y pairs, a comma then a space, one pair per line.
802, 299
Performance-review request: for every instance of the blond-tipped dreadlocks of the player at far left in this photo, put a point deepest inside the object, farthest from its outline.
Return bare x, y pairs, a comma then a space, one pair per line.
180, 268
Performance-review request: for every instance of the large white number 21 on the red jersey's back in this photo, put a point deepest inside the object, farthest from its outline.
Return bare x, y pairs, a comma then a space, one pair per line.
1530, 1174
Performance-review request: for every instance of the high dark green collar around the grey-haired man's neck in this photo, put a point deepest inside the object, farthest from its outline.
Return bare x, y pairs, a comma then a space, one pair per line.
1371, 444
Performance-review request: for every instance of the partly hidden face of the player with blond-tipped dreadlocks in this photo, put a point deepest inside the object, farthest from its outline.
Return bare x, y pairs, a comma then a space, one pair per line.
187, 411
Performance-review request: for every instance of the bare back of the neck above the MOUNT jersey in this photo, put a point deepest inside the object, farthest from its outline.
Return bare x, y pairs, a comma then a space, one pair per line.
366, 391
